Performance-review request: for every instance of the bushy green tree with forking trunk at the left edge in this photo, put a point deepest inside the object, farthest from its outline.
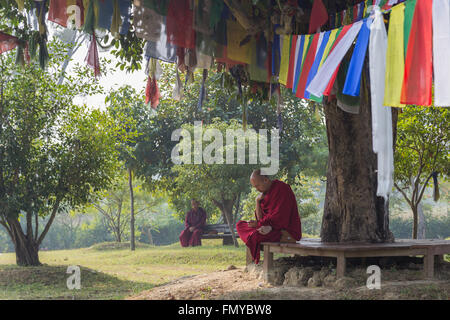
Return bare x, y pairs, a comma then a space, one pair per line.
54, 155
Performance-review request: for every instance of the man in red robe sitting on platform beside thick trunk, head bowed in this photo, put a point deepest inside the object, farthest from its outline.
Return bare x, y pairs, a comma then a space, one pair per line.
276, 215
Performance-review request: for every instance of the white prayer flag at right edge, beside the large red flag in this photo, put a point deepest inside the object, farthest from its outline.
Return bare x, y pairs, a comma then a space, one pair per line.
441, 49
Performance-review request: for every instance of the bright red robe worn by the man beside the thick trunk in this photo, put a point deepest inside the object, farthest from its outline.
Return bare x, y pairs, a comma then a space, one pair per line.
279, 209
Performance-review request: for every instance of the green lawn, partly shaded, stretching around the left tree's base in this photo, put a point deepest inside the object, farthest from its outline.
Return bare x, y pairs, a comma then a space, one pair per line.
109, 273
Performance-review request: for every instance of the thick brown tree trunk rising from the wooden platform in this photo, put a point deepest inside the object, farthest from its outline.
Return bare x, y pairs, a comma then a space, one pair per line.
352, 210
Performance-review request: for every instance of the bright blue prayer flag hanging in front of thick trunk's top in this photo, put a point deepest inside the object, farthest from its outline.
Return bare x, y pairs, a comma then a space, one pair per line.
353, 81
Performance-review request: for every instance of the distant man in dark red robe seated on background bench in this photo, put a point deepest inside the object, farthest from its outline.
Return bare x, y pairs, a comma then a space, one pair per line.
194, 222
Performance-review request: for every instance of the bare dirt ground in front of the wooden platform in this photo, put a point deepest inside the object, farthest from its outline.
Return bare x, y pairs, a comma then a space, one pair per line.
238, 284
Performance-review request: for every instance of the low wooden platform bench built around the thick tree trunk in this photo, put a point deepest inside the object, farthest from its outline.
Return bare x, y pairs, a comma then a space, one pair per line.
429, 249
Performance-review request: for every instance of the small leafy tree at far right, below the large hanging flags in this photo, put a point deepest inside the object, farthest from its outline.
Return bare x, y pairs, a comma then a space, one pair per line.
422, 151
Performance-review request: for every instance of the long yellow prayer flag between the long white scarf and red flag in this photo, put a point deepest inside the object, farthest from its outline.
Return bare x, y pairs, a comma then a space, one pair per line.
395, 58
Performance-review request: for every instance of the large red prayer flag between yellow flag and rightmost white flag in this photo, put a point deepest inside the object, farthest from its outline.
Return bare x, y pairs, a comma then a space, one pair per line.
418, 77
